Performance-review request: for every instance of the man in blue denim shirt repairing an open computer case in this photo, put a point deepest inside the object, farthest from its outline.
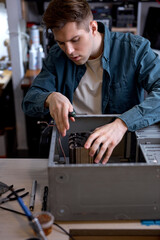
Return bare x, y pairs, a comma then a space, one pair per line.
95, 71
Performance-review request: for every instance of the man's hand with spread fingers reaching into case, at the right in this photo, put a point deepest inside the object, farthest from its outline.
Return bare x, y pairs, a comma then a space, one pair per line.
107, 138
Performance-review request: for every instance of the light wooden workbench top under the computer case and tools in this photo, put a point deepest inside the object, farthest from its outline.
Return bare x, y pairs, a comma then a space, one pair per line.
21, 173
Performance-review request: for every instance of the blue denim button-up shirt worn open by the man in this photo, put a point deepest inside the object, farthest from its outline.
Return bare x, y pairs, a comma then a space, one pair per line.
129, 67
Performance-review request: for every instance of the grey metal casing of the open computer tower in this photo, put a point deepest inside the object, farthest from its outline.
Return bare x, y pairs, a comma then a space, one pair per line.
102, 192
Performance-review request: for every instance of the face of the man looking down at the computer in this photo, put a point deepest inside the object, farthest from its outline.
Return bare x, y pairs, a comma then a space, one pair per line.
75, 41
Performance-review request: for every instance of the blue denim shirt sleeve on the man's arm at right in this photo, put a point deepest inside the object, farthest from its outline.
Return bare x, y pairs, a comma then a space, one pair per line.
147, 65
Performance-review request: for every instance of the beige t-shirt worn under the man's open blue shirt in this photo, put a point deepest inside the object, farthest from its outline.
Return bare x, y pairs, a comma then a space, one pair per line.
88, 95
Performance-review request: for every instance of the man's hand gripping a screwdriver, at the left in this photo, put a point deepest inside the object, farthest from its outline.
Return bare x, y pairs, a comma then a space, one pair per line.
59, 107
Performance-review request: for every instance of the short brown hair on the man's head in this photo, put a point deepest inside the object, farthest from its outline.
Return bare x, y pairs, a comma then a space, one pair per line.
59, 12
